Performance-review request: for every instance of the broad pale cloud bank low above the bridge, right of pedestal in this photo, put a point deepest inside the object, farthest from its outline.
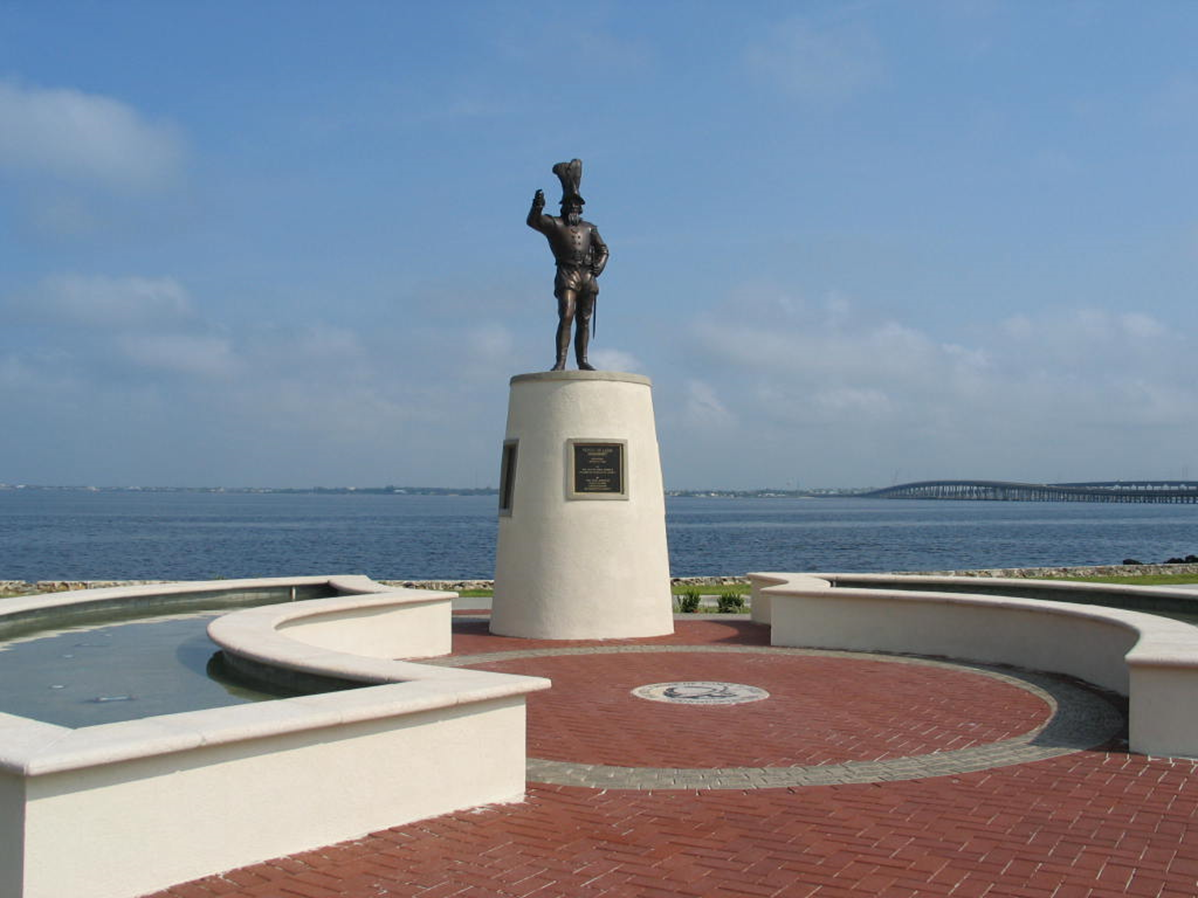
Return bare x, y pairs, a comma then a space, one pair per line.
846, 397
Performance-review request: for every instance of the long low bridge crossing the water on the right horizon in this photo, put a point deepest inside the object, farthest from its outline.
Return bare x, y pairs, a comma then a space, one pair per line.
1164, 492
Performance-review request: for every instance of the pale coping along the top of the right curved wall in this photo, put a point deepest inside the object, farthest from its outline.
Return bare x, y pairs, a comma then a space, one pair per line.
1160, 642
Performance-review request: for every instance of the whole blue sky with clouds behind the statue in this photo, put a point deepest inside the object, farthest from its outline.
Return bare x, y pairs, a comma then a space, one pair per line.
854, 244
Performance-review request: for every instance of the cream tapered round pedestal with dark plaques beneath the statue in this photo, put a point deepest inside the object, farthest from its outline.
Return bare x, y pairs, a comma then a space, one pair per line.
583, 537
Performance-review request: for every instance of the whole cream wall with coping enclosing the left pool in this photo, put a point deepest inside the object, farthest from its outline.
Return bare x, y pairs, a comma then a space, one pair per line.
125, 809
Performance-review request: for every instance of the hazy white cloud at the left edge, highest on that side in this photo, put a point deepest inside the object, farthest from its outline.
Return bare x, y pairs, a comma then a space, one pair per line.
84, 137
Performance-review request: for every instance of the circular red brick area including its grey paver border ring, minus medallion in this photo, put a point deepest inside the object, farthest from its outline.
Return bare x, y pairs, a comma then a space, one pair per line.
833, 718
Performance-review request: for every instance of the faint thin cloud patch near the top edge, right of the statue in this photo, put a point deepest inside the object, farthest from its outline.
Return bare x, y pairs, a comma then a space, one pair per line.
827, 65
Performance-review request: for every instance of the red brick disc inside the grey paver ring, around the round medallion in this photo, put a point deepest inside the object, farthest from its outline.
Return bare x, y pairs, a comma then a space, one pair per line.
822, 711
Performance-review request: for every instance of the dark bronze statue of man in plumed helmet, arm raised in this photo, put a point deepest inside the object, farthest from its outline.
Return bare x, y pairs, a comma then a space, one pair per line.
580, 254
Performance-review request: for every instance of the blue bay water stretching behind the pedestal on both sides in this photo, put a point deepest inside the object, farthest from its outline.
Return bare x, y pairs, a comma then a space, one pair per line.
68, 535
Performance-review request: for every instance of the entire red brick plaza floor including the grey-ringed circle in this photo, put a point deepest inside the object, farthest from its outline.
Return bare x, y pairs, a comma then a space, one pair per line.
860, 775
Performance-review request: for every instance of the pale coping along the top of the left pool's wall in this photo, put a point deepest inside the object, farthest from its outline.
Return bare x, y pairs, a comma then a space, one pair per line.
31, 748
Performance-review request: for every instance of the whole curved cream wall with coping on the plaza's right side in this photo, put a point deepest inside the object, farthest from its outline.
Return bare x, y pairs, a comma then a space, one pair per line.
1152, 660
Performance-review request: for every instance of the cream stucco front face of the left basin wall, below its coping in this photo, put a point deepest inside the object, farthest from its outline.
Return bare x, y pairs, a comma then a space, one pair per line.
122, 830
